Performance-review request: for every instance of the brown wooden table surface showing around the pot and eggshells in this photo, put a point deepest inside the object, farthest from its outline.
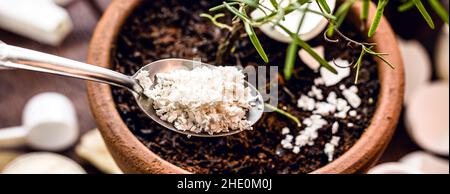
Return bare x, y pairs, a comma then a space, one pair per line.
16, 86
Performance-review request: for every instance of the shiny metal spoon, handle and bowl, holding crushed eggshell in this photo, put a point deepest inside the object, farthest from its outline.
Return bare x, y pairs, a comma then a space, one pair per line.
20, 58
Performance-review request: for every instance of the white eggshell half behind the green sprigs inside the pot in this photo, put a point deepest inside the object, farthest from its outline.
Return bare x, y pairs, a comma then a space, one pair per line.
313, 24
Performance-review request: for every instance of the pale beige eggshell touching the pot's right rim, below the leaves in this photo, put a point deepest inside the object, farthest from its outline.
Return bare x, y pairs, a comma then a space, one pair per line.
417, 66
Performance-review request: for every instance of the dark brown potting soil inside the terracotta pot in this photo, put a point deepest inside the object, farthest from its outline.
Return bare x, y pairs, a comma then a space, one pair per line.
173, 28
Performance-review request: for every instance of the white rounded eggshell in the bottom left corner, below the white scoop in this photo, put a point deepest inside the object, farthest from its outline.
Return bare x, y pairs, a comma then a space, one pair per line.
43, 163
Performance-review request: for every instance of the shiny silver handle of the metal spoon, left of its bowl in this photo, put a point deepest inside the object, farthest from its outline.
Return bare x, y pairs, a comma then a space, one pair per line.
20, 58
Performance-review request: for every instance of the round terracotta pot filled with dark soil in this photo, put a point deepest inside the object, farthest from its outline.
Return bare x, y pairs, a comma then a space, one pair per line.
133, 157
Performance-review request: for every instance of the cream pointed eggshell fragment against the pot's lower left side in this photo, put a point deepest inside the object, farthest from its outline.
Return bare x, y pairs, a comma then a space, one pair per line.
93, 149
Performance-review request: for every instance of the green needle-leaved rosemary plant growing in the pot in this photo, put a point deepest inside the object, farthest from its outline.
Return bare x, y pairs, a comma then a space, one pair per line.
277, 13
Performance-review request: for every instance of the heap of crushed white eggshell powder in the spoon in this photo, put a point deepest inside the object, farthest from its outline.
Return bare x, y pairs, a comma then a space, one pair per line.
211, 100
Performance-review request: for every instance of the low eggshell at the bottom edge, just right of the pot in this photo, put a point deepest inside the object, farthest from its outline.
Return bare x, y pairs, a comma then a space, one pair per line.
394, 168
